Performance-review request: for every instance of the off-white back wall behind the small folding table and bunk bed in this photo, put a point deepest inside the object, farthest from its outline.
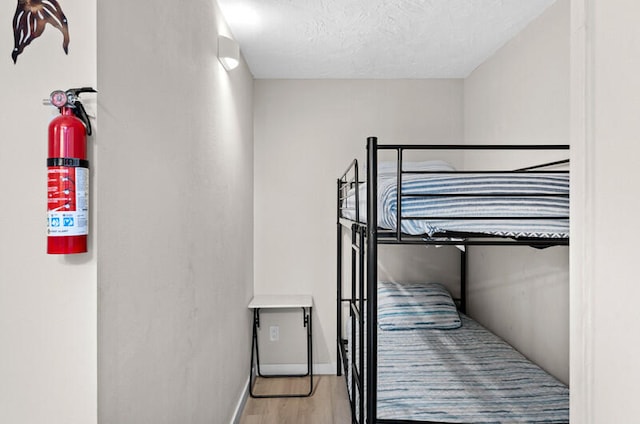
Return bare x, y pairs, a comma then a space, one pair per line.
306, 133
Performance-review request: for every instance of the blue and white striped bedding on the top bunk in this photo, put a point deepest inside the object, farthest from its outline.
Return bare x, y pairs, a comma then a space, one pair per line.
520, 204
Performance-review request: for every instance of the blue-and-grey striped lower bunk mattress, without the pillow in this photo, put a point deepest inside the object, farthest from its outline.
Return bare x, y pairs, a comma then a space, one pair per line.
463, 375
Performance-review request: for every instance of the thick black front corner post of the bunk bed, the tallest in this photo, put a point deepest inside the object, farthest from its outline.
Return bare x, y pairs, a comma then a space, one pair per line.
372, 279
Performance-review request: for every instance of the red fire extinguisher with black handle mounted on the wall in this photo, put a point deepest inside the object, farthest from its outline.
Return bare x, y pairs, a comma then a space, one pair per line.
68, 174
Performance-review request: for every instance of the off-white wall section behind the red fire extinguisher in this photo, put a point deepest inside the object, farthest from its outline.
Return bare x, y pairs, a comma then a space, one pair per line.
47, 302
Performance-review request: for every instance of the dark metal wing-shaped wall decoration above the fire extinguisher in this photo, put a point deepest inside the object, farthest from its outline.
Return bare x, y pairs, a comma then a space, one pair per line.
29, 22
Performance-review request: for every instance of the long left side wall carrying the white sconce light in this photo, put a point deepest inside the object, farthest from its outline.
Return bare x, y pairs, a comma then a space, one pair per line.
176, 216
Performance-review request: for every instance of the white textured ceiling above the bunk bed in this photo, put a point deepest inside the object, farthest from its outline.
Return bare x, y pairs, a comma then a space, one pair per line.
374, 38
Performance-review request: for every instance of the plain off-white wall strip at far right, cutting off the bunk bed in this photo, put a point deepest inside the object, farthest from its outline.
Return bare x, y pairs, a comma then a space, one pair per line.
604, 274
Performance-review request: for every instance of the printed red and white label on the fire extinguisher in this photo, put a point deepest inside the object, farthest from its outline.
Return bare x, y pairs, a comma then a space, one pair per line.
67, 201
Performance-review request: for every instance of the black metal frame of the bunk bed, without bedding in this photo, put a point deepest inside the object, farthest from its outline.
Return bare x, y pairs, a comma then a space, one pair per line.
363, 301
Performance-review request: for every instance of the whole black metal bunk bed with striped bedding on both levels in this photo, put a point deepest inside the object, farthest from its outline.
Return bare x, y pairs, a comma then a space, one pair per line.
409, 352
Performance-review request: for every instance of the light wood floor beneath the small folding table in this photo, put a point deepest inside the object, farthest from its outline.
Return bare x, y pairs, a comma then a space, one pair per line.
329, 403
